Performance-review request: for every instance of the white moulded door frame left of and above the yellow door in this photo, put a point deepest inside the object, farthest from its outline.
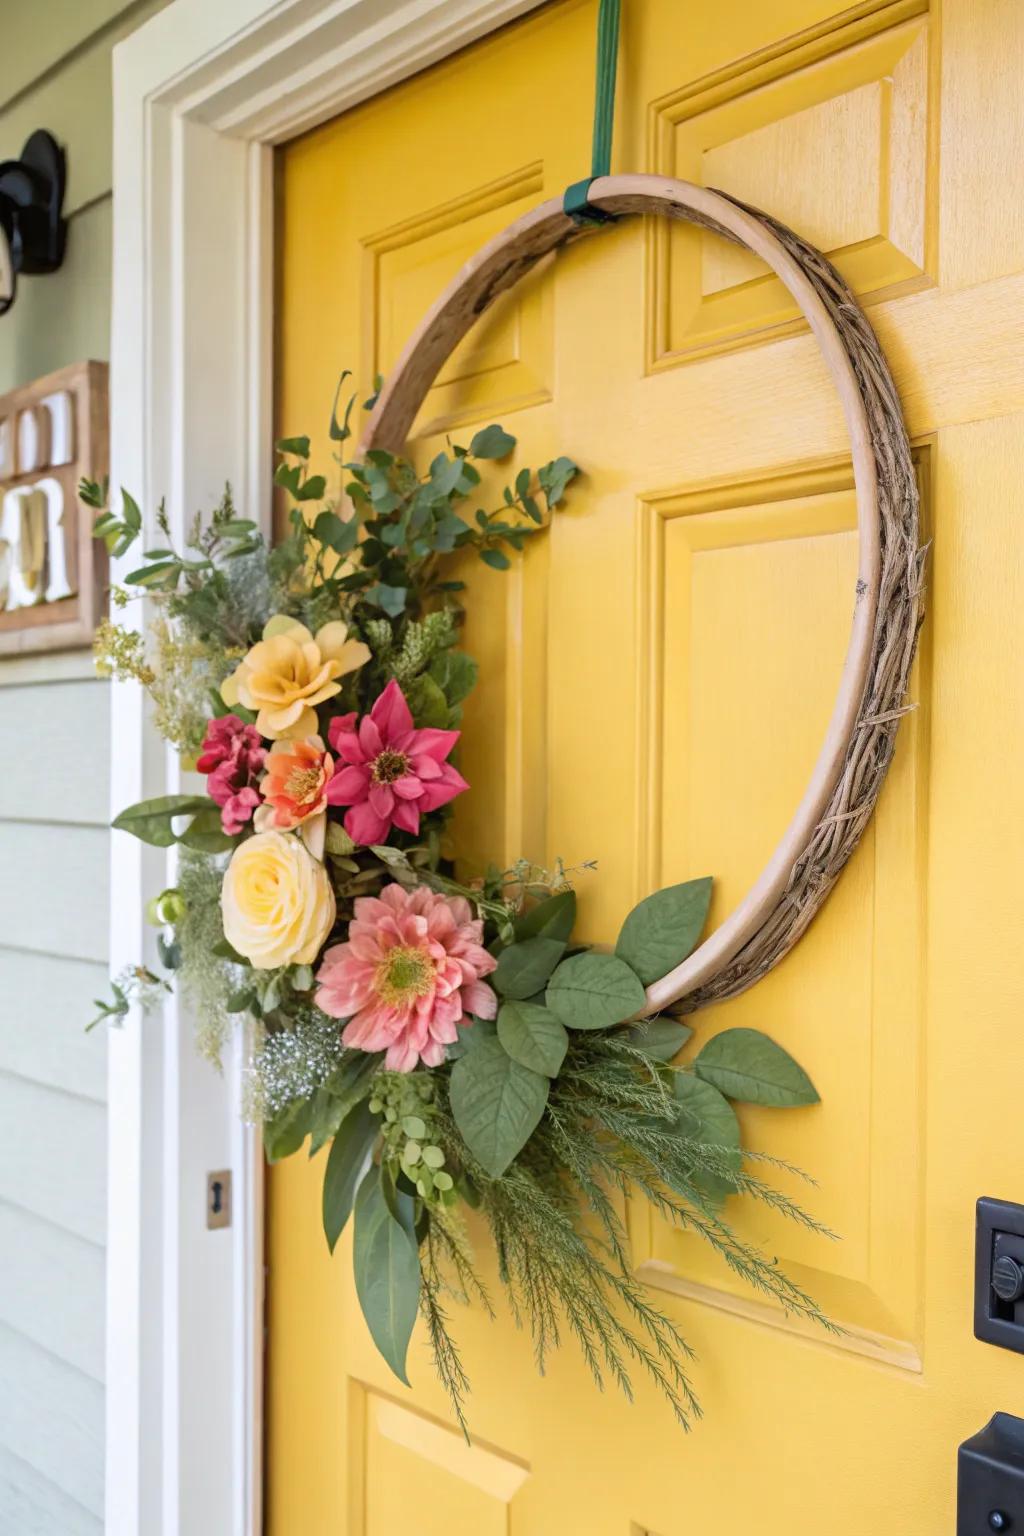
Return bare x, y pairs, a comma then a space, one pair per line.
202, 94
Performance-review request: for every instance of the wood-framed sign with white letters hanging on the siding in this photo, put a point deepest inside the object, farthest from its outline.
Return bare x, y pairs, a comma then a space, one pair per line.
53, 572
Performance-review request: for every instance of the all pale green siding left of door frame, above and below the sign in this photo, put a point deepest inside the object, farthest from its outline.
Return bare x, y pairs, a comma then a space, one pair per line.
55, 852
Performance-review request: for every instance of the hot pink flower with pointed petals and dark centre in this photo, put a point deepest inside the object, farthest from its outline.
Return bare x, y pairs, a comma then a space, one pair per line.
389, 773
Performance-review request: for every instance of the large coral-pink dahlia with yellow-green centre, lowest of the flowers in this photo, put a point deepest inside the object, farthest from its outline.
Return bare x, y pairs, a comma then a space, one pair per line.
409, 973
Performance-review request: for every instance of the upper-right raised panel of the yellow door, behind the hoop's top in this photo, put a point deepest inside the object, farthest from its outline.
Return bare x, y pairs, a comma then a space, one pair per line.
836, 136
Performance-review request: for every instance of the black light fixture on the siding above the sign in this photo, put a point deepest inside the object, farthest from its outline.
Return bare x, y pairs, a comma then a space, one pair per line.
31, 225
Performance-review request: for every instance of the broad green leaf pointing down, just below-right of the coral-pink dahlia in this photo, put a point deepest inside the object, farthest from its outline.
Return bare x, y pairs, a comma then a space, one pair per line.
497, 1104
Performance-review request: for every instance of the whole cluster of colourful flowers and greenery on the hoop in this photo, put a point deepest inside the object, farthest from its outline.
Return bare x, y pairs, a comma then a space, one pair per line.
446, 1039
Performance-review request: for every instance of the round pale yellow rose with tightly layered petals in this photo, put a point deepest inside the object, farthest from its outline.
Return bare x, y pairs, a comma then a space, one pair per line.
277, 901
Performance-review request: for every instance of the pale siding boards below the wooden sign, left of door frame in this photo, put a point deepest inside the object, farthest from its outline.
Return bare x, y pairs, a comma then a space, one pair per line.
55, 901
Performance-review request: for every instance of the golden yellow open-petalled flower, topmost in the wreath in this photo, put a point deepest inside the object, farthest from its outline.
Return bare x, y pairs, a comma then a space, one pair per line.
289, 672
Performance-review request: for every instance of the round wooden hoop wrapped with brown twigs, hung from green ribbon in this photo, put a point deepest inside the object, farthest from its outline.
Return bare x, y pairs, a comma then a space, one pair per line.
860, 738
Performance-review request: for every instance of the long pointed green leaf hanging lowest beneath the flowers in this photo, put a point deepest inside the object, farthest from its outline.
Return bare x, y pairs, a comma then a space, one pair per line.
388, 1274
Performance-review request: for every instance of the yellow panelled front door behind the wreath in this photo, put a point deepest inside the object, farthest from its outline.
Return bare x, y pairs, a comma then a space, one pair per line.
656, 681
